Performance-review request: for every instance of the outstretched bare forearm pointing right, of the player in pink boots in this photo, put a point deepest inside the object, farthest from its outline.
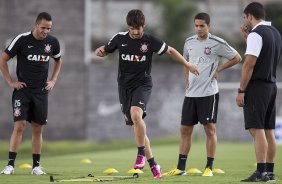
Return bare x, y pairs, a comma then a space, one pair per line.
176, 56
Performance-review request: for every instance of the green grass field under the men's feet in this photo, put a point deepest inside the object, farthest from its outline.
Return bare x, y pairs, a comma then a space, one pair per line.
236, 159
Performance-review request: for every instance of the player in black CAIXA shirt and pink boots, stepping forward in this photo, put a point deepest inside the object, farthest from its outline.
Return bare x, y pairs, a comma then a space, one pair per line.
134, 79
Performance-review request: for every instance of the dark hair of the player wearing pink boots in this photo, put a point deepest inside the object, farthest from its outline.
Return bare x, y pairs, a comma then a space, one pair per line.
135, 18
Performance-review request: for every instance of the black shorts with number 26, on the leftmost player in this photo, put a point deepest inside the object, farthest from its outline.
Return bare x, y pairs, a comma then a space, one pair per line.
32, 107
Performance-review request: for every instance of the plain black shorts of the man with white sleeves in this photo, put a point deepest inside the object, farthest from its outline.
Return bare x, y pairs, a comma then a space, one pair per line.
259, 109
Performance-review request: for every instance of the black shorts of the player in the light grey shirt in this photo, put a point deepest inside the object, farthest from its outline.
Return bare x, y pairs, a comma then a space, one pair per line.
199, 109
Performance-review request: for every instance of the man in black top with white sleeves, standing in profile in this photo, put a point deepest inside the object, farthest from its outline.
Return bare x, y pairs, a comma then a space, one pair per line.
257, 92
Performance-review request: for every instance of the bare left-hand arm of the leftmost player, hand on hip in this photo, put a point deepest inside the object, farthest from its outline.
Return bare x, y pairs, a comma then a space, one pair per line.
4, 58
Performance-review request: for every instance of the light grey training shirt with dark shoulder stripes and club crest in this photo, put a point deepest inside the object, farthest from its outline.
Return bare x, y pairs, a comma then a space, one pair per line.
206, 54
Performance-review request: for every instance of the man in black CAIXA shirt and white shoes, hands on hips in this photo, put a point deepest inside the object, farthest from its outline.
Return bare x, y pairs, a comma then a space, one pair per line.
30, 97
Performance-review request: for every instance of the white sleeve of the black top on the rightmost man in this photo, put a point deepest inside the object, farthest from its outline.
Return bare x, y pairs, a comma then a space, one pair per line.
254, 44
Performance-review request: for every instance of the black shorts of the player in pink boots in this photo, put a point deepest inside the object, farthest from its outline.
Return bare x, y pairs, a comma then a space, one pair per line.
138, 96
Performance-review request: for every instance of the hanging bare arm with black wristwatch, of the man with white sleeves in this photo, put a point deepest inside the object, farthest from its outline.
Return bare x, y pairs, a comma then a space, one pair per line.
247, 72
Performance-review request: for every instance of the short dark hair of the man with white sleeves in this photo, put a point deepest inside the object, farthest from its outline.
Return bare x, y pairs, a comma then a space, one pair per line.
256, 9
